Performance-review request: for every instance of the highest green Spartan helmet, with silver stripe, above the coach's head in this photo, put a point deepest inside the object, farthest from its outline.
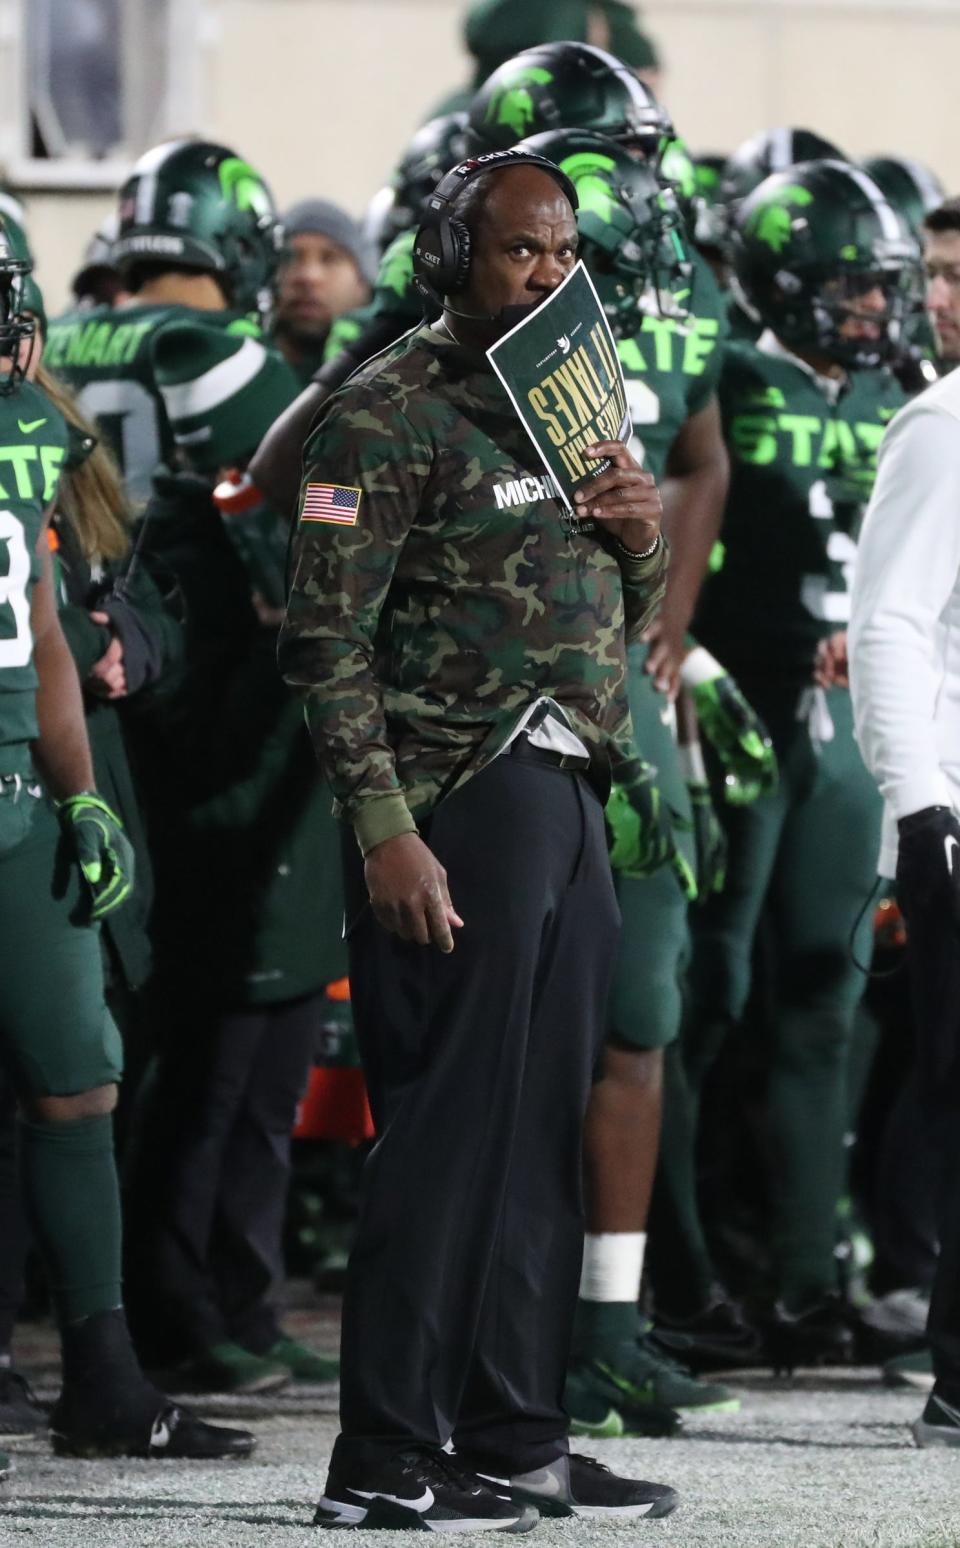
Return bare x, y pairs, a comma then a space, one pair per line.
566, 86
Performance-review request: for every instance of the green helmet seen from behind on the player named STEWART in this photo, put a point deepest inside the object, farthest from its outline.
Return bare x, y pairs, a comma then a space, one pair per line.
197, 207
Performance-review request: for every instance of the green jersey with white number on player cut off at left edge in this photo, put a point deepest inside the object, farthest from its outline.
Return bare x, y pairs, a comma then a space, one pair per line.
33, 447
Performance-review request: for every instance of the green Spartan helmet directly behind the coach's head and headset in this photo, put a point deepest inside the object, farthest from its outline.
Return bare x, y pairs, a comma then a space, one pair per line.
631, 227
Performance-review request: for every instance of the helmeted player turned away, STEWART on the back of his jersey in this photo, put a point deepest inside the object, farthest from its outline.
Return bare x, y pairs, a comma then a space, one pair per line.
197, 238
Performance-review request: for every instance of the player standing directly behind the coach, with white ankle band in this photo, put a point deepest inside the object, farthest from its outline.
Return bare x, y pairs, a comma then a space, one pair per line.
667, 312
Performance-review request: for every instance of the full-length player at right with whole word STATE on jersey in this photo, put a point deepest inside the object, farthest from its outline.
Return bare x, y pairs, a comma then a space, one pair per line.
831, 272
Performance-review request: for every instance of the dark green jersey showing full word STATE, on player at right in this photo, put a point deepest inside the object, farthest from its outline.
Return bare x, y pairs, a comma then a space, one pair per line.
801, 474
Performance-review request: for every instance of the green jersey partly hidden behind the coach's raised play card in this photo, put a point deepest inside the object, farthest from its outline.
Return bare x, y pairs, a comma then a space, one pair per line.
673, 366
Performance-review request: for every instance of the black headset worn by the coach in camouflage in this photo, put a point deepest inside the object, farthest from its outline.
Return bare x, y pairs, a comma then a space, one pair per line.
442, 248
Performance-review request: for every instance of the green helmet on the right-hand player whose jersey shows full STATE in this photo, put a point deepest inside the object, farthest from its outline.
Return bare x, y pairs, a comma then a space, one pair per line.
811, 245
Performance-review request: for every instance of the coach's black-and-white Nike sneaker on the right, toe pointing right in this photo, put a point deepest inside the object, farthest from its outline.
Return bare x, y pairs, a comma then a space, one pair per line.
583, 1487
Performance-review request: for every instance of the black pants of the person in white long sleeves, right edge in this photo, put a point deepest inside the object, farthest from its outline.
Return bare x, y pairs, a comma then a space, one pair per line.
934, 962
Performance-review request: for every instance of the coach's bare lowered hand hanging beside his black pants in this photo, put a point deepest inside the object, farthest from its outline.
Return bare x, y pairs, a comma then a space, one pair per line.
410, 894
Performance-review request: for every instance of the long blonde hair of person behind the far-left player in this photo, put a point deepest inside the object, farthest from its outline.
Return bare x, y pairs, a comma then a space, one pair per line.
91, 496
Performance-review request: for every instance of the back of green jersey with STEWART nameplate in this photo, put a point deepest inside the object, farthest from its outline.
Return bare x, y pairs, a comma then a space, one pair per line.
106, 355
